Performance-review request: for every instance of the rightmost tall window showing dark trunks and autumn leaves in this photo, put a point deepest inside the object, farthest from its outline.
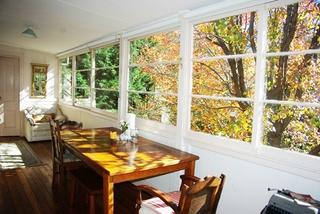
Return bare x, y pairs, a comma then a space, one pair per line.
292, 108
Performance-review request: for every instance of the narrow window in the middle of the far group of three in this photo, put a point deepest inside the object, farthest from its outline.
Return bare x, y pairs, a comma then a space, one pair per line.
83, 80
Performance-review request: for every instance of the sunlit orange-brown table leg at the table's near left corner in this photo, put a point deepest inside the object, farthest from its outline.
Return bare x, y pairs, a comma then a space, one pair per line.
108, 201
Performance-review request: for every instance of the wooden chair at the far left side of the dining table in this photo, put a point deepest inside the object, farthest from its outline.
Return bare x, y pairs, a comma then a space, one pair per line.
61, 161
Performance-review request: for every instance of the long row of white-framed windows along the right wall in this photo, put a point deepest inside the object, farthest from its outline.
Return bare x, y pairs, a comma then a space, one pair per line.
242, 79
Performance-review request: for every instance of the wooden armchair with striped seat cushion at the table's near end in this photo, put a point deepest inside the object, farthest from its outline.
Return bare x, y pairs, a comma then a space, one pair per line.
195, 197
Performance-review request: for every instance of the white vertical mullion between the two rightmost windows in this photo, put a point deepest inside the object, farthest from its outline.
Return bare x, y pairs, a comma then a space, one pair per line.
257, 126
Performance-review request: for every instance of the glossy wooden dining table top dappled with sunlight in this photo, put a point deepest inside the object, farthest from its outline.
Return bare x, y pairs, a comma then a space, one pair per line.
115, 157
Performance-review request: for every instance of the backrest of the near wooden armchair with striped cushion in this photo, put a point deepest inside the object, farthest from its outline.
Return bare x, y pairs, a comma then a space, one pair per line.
202, 196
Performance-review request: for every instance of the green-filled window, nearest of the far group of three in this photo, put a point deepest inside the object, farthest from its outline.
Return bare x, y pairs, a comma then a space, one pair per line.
106, 78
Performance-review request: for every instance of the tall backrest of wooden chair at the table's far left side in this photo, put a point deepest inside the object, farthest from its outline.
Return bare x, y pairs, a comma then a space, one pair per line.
57, 149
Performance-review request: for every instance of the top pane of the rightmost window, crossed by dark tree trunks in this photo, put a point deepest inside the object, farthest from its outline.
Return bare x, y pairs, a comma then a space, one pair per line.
294, 27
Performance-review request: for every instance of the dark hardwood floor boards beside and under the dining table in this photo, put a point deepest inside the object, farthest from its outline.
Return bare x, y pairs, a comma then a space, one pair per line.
28, 190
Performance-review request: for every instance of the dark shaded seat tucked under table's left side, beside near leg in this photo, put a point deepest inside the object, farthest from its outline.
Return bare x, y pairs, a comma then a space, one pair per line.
88, 179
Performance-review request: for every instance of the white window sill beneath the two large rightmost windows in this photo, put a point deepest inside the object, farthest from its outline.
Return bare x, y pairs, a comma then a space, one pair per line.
295, 163
